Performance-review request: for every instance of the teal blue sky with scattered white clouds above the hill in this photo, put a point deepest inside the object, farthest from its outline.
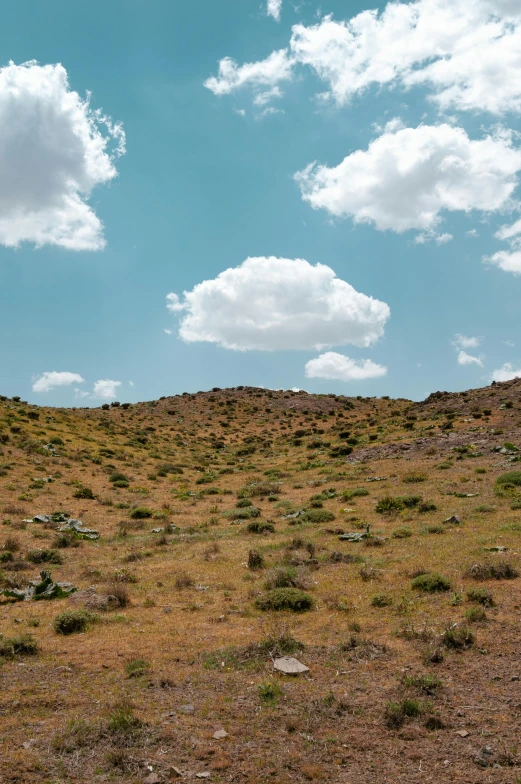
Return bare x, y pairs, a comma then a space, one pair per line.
276, 193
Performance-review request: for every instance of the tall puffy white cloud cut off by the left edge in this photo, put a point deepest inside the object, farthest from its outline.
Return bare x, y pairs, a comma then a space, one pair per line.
54, 149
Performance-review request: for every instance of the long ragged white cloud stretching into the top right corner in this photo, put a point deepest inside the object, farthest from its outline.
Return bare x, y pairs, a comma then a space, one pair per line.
466, 52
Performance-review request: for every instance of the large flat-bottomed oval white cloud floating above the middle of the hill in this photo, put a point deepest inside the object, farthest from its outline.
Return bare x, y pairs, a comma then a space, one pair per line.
271, 303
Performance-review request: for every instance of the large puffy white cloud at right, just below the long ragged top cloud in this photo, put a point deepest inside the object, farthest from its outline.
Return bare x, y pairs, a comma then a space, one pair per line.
405, 179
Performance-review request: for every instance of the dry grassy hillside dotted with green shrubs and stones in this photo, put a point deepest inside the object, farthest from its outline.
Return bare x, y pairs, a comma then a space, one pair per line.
215, 508
